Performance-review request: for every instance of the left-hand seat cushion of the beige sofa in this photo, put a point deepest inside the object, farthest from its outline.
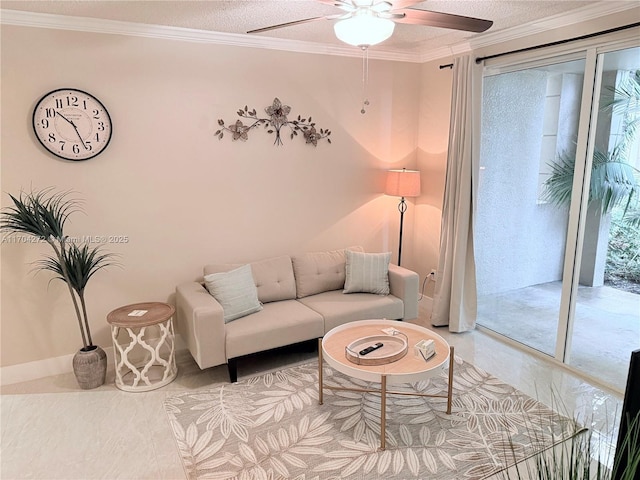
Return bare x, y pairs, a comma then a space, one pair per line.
278, 324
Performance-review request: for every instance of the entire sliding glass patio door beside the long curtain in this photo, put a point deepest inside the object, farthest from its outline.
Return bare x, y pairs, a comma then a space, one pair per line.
544, 210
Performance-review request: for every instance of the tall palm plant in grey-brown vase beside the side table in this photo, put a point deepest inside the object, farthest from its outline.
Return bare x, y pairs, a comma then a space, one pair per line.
43, 215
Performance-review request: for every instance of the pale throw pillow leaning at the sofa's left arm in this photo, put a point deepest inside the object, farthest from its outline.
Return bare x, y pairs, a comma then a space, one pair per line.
235, 291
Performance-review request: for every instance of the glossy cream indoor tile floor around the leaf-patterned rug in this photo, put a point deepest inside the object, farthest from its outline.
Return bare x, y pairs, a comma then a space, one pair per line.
53, 430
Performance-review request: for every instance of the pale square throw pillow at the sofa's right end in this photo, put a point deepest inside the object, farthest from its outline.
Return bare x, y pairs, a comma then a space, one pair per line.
367, 272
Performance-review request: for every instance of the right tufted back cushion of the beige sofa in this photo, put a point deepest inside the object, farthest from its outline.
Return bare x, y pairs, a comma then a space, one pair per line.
318, 272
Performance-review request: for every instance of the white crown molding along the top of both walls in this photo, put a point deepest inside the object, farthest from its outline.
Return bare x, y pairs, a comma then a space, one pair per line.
424, 54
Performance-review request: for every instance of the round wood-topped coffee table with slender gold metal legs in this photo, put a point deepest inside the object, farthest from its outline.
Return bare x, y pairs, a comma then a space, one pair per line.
408, 369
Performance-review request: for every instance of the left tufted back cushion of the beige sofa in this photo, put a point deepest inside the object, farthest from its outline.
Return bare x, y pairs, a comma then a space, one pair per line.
273, 277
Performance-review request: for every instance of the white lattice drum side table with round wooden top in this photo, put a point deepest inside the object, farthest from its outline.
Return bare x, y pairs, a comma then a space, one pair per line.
144, 346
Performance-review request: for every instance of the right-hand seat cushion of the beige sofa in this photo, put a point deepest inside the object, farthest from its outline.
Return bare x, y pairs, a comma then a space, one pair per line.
337, 308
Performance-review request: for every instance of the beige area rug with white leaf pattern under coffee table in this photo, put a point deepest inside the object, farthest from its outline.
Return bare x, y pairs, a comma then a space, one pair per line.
271, 427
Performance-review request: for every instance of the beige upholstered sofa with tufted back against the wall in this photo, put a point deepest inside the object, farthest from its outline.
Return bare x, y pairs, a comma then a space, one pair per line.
300, 298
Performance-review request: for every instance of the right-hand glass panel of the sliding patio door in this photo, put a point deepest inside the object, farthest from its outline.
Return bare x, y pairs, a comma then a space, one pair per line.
605, 325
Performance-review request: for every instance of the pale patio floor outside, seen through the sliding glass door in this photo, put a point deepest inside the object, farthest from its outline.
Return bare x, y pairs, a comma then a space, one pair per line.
606, 327
